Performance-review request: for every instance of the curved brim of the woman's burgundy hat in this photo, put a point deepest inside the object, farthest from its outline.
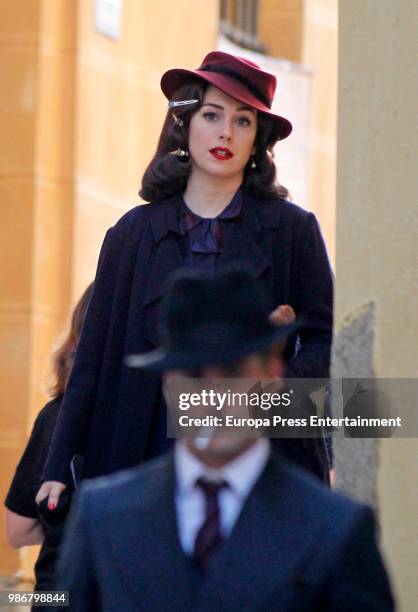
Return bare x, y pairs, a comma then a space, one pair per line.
175, 78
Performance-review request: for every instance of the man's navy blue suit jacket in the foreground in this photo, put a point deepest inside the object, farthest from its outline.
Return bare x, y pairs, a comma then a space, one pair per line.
295, 547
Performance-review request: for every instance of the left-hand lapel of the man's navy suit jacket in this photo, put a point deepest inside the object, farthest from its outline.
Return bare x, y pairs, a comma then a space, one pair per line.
144, 545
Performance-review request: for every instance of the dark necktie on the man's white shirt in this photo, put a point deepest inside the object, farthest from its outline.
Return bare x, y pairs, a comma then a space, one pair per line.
209, 536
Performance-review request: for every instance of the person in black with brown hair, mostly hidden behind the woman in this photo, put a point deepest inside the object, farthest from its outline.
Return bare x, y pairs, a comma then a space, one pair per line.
27, 523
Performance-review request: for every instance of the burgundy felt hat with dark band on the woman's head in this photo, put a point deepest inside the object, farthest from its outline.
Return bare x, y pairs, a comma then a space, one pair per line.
238, 77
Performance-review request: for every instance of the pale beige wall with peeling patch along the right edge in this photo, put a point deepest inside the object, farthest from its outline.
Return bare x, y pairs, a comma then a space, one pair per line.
377, 237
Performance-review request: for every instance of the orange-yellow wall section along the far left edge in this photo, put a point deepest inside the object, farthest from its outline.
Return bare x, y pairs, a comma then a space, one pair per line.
36, 167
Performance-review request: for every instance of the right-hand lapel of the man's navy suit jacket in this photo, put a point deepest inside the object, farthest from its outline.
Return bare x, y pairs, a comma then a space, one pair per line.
267, 549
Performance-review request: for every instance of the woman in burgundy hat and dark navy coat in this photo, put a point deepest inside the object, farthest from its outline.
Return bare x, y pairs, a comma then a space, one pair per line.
214, 201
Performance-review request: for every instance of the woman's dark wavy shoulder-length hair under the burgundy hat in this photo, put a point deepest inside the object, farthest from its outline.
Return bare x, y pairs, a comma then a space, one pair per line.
166, 175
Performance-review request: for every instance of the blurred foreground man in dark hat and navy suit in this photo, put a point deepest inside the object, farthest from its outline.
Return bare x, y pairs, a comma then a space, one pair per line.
224, 522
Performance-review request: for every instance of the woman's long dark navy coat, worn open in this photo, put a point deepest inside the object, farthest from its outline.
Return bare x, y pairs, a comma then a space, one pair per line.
107, 411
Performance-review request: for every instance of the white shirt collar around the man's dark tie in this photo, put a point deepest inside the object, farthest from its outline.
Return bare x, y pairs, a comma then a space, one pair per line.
240, 474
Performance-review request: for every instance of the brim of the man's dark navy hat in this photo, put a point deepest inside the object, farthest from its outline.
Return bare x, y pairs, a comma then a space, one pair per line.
166, 359
